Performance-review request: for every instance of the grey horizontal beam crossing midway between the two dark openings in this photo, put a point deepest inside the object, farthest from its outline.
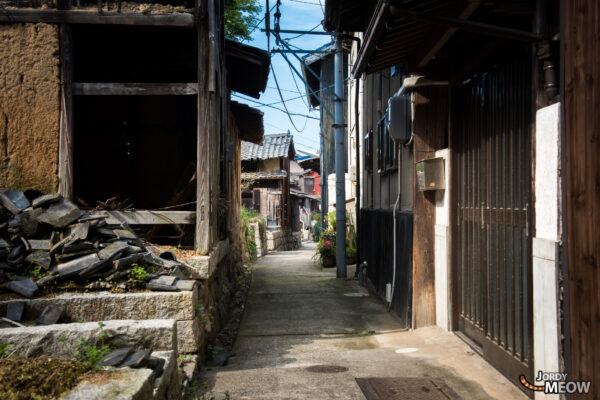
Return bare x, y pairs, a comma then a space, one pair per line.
119, 89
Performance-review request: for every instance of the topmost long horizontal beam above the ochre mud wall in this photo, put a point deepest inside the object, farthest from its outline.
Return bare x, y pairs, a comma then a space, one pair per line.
92, 17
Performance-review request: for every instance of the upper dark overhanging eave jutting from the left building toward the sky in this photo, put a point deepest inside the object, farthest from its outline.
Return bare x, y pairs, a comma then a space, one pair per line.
248, 68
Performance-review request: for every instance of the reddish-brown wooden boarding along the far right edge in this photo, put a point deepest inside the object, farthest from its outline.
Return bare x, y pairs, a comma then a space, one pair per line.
582, 130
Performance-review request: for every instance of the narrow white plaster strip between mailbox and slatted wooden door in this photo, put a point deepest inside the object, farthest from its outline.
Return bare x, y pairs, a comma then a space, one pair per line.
441, 249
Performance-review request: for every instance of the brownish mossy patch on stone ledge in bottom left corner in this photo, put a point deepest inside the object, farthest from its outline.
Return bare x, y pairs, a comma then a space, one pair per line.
28, 378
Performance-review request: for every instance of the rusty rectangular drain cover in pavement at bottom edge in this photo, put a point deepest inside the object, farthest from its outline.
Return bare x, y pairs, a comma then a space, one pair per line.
405, 388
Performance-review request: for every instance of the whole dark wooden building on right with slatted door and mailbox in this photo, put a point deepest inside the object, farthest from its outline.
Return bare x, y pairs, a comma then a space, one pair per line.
499, 98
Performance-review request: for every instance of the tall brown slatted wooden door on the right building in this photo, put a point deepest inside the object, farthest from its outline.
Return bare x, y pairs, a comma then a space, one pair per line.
491, 127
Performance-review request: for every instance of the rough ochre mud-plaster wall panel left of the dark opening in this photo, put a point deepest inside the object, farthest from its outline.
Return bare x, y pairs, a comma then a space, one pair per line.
29, 106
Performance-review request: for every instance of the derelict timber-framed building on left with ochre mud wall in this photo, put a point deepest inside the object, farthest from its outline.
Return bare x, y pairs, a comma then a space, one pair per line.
130, 102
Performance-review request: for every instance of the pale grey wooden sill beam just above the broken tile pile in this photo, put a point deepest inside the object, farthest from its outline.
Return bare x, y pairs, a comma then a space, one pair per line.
147, 217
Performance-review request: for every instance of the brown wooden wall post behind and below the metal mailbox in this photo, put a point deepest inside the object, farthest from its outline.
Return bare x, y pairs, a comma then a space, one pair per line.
430, 127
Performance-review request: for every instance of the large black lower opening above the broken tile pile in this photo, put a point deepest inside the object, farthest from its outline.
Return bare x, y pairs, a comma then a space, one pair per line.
133, 147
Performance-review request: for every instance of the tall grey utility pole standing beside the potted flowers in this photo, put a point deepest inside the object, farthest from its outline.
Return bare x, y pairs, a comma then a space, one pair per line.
340, 181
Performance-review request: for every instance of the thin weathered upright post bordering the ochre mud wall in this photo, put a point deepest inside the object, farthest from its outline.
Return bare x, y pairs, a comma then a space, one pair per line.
65, 150
